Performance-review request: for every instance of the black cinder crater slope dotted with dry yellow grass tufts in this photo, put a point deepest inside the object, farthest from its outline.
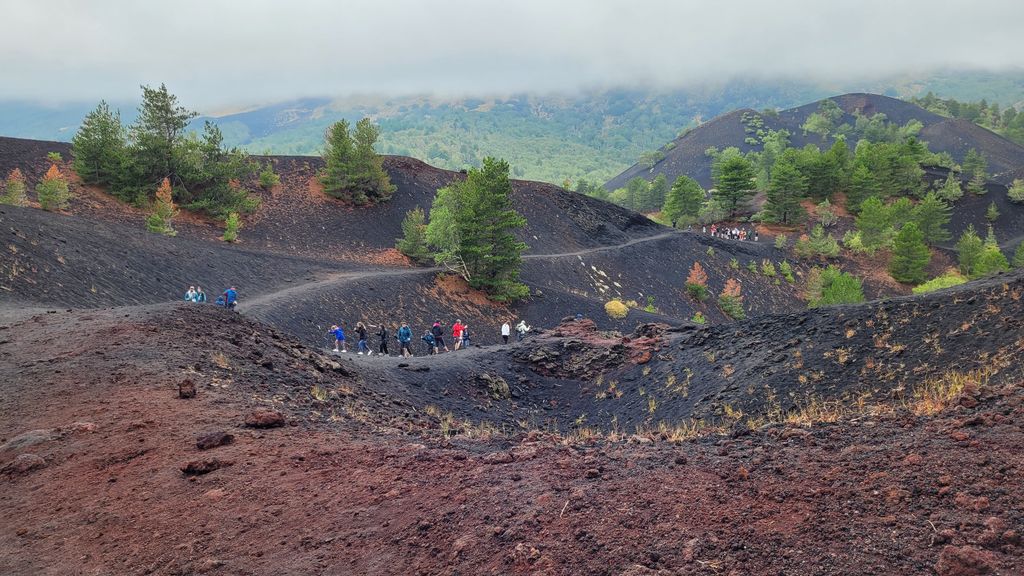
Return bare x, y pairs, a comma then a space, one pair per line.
874, 353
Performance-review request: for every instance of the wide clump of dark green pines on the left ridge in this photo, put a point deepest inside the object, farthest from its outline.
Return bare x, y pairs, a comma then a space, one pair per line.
134, 161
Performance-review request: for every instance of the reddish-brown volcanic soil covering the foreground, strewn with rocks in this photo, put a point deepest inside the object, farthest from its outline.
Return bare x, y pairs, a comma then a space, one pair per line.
95, 440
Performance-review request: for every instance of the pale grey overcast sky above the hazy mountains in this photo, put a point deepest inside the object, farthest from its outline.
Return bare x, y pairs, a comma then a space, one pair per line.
219, 53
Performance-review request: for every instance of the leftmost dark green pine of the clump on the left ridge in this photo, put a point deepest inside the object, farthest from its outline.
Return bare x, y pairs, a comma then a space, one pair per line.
99, 147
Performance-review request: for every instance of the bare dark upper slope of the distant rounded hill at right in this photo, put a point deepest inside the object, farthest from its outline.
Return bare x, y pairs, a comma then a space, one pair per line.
944, 135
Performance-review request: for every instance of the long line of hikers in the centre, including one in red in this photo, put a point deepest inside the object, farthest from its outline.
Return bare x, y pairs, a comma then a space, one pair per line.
434, 338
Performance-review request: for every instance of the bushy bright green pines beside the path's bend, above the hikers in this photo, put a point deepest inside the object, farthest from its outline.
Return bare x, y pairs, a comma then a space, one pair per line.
472, 232
